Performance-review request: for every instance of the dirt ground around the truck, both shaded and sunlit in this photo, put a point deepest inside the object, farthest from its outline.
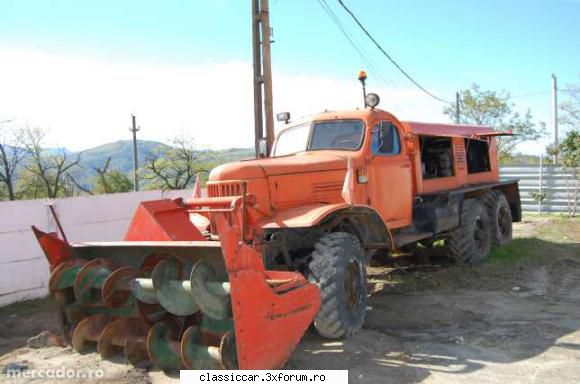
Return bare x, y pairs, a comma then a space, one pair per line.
514, 319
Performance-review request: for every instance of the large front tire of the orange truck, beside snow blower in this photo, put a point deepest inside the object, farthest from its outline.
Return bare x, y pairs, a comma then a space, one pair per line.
338, 267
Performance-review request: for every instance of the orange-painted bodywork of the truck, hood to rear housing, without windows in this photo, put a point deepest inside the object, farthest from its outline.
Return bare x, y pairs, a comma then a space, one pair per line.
300, 190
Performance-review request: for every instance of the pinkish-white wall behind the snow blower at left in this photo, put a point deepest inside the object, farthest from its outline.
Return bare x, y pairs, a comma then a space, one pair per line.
23, 266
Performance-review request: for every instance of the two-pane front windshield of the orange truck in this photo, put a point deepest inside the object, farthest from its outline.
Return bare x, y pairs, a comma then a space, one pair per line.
336, 134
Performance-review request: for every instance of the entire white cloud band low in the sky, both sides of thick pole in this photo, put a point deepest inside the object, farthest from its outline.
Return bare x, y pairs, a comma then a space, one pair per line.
85, 102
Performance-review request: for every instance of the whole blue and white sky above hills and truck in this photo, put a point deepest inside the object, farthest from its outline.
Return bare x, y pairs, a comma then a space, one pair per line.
79, 69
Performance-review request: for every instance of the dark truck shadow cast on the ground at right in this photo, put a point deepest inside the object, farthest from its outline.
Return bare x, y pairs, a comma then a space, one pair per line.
460, 320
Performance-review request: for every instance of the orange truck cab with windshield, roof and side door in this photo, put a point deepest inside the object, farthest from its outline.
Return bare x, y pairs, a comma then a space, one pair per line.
378, 147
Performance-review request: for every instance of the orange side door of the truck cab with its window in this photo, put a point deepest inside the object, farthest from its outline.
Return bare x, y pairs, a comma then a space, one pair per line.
391, 176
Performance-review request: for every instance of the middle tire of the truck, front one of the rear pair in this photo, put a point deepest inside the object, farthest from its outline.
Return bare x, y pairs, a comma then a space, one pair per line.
470, 243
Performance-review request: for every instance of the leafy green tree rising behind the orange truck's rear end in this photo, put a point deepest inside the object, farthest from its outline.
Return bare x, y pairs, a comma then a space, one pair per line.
494, 109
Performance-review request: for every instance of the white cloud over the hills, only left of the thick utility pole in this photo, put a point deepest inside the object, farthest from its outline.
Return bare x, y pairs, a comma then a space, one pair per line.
84, 102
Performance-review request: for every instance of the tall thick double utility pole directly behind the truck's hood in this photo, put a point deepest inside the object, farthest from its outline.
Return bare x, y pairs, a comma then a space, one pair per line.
262, 75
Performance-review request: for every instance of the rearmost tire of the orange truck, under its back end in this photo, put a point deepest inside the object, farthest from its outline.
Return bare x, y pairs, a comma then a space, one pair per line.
500, 216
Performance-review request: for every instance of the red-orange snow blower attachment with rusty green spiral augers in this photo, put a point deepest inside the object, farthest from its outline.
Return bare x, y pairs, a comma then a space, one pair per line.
169, 295
